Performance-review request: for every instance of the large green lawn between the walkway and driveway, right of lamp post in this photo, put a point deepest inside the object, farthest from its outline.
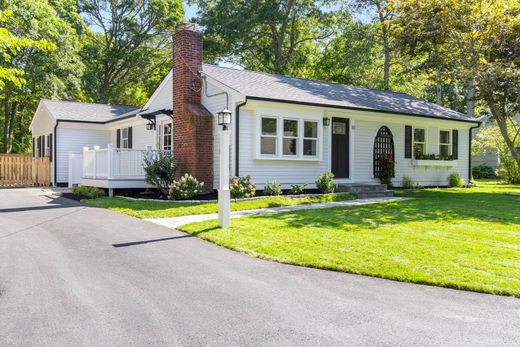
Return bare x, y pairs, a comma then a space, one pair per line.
459, 238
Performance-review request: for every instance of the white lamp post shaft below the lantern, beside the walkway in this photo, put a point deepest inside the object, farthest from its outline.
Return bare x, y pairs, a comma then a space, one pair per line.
223, 192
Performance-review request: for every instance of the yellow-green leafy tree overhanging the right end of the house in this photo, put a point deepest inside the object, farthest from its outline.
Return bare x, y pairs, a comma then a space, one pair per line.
479, 42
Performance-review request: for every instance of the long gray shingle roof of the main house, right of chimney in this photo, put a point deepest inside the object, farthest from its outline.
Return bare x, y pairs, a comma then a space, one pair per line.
262, 85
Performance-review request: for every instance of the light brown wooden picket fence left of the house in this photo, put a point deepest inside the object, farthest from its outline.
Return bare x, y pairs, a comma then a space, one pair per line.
18, 170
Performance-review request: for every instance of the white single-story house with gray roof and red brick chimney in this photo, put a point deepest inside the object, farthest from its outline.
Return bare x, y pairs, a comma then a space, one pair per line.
283, 128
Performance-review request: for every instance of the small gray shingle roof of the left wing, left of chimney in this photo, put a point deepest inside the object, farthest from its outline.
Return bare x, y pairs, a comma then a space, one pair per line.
83, 112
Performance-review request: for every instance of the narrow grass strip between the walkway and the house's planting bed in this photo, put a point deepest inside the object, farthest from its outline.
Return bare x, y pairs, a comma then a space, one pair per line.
158, 209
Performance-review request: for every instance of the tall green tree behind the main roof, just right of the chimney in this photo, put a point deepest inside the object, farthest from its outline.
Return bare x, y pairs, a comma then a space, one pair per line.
276, 36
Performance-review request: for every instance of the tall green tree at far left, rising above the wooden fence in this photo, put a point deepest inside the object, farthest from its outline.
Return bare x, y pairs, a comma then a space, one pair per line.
41, 57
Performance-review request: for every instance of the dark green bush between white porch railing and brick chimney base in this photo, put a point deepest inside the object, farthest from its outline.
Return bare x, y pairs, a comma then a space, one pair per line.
159, 170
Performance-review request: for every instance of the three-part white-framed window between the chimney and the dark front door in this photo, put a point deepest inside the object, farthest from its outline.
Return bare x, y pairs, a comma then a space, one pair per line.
289, 138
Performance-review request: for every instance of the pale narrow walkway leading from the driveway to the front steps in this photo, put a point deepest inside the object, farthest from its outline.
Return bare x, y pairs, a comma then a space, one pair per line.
175, 222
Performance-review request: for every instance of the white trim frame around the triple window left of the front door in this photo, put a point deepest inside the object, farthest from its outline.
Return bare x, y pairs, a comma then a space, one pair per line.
279, 139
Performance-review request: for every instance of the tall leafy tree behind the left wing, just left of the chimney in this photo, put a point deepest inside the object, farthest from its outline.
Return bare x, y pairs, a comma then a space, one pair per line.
129, 43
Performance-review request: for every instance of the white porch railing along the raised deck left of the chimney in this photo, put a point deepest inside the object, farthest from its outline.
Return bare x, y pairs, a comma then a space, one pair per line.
116, 163
